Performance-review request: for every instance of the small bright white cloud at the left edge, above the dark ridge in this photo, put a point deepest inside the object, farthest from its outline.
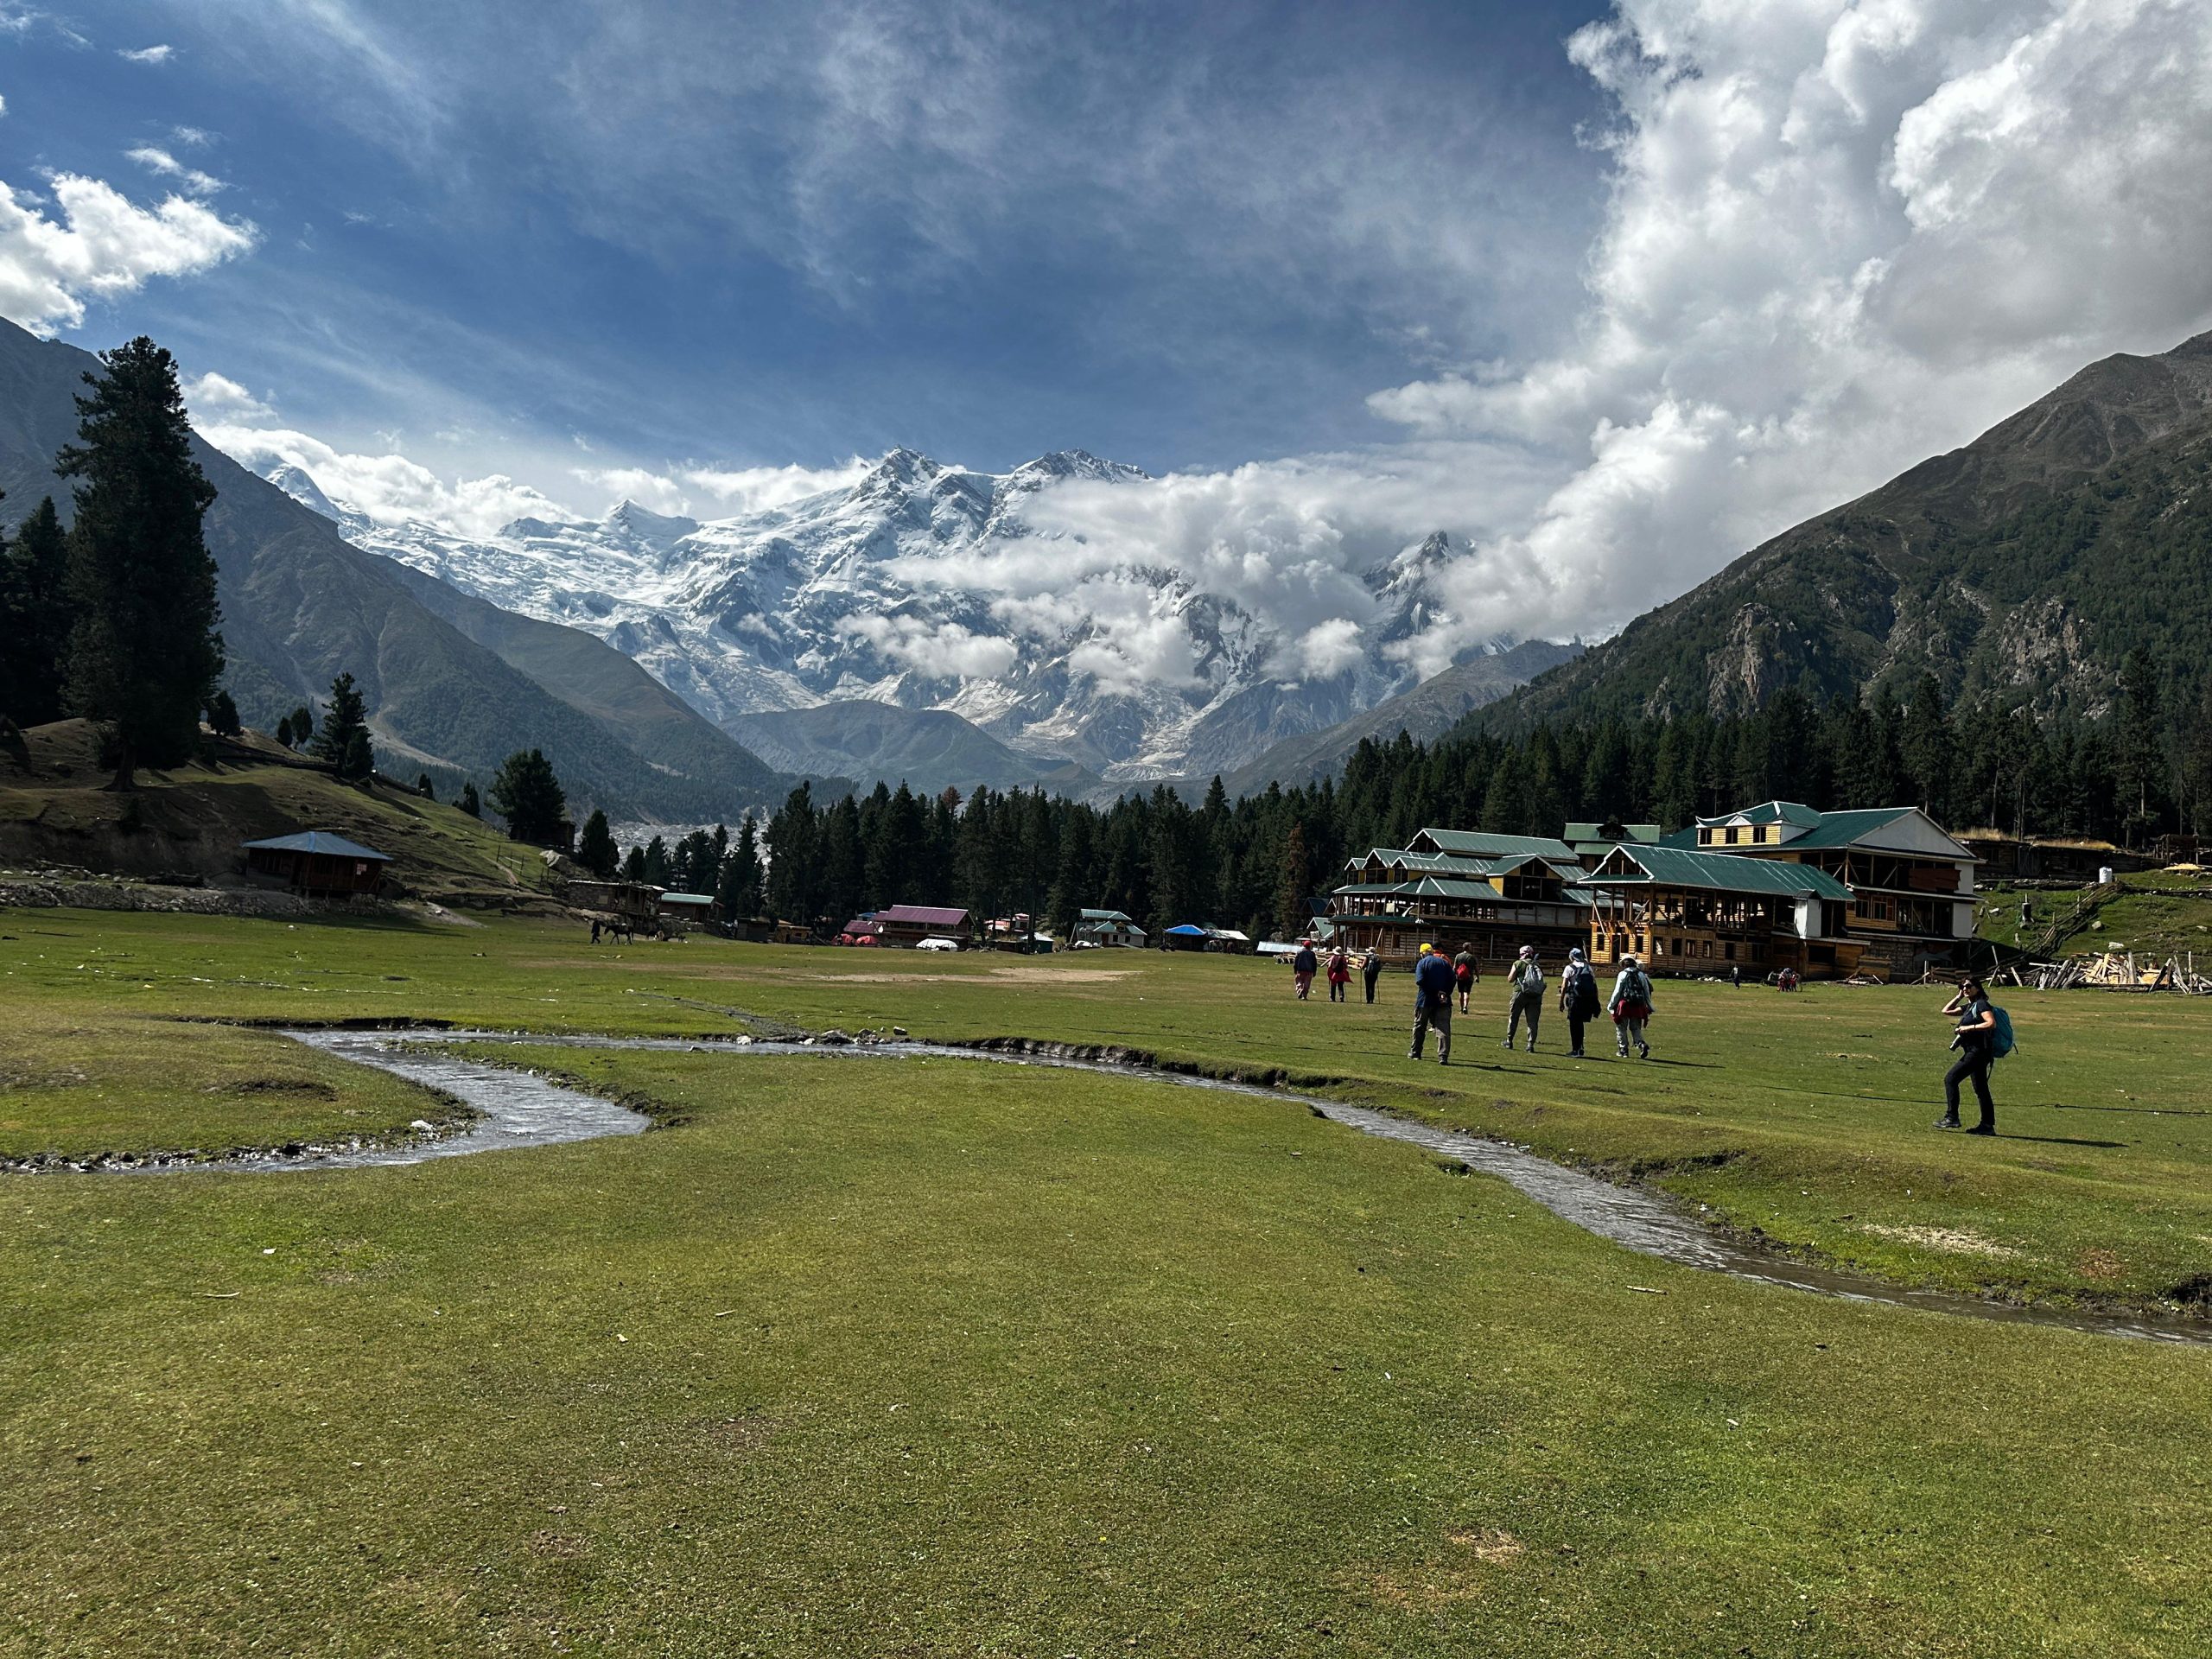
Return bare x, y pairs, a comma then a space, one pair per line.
103, 247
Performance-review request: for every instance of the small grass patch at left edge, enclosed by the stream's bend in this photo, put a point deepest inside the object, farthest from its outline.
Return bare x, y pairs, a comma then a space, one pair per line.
85, 1083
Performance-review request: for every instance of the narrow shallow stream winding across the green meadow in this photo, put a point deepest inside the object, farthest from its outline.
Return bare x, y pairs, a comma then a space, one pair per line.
532, 1112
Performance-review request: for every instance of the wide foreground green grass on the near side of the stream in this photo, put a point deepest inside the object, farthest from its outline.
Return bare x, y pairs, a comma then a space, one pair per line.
957, 1359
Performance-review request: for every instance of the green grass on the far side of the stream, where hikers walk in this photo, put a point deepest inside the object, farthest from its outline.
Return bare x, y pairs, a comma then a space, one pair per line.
1804, 1120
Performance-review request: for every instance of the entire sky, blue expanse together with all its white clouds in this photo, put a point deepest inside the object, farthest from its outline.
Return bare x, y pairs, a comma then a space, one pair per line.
1609, 293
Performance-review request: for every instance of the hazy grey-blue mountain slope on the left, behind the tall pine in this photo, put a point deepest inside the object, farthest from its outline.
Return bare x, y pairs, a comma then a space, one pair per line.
452, 687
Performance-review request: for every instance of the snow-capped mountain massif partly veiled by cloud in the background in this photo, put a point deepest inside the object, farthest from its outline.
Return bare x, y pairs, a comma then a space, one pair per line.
930, 589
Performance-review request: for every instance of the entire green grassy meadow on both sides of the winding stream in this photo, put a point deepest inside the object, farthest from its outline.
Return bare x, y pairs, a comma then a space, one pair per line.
963, 1359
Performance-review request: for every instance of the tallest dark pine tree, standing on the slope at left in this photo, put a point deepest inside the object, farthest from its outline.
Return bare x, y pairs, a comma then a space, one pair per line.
145, 651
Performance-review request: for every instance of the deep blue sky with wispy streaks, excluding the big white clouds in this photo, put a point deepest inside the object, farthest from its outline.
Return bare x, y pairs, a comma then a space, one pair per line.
1176, 236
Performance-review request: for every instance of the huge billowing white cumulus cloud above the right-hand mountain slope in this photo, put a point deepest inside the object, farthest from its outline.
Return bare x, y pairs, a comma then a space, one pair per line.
1841, 238
